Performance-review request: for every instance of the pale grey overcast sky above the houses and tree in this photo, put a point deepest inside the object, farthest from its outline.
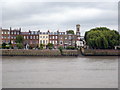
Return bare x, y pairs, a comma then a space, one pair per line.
61, 16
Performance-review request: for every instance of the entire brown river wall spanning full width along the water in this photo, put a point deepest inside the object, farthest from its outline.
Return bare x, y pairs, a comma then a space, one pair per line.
57, 53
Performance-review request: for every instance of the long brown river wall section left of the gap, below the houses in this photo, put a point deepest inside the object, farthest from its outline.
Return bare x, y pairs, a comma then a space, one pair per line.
21, 52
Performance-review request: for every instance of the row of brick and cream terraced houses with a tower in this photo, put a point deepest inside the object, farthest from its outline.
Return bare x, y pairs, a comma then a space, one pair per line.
35, 38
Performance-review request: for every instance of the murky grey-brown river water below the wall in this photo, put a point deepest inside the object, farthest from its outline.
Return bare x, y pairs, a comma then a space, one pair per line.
60, 72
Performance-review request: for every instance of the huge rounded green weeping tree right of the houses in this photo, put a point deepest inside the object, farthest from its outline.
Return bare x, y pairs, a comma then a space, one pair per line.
102, 38
